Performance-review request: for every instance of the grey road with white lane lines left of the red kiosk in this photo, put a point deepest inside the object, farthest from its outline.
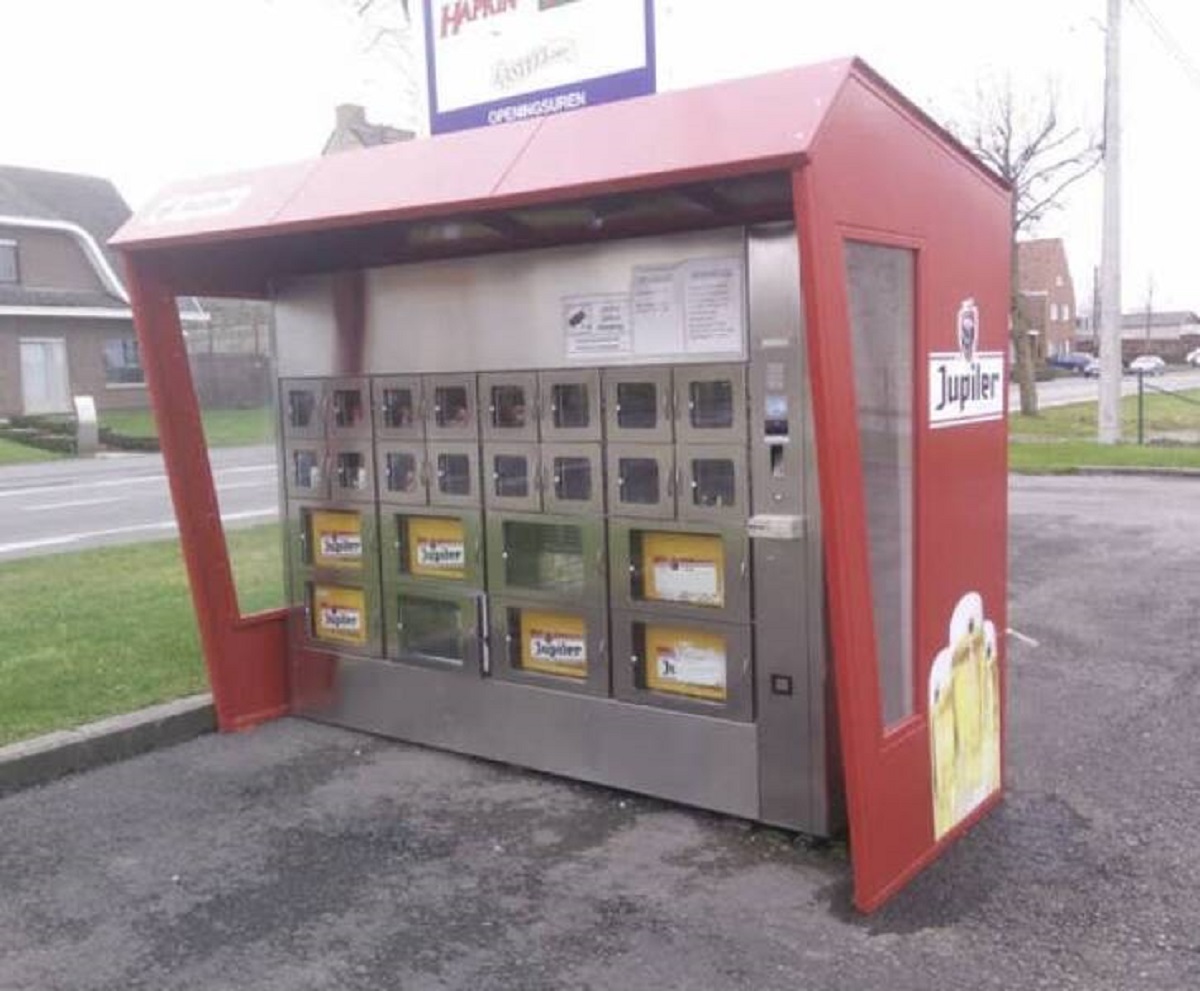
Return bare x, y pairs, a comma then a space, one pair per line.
69, 506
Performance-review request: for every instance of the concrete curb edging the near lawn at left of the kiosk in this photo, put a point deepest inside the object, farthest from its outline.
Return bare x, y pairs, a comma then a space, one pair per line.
45, 759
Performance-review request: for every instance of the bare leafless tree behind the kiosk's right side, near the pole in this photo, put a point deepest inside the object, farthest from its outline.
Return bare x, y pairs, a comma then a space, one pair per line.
1027, 142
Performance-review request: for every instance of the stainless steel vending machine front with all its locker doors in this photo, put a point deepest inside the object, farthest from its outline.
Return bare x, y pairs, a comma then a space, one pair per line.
565, 516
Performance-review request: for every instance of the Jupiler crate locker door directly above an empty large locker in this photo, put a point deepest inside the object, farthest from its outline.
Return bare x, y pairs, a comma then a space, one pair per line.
445, 548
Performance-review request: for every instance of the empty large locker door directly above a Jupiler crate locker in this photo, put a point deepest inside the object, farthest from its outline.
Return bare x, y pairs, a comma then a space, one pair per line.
547, 558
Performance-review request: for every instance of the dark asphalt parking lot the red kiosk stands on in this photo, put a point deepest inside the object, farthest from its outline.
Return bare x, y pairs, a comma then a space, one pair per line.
307, 857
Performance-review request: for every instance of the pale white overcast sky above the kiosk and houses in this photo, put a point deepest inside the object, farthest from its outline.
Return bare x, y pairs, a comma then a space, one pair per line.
146, 92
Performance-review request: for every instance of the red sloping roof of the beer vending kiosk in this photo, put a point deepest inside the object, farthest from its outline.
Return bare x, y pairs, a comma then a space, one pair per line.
734, 129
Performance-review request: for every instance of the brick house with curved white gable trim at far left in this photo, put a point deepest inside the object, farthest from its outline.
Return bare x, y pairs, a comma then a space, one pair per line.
65, 321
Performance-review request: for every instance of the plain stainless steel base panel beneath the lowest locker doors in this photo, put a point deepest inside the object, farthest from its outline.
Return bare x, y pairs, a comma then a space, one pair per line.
711, 764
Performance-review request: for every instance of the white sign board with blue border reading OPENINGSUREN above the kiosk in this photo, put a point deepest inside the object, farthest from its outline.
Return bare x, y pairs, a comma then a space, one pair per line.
494, 62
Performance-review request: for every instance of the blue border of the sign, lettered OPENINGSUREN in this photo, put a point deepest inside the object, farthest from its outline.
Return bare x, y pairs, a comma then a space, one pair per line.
586, 93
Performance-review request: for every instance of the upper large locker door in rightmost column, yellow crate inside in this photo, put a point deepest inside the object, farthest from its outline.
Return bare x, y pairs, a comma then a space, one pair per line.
681, 570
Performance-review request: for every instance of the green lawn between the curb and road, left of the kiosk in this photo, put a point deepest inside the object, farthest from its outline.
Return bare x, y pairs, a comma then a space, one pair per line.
101, 633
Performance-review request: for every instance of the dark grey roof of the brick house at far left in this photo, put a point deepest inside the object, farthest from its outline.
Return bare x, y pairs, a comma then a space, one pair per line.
86, 201
